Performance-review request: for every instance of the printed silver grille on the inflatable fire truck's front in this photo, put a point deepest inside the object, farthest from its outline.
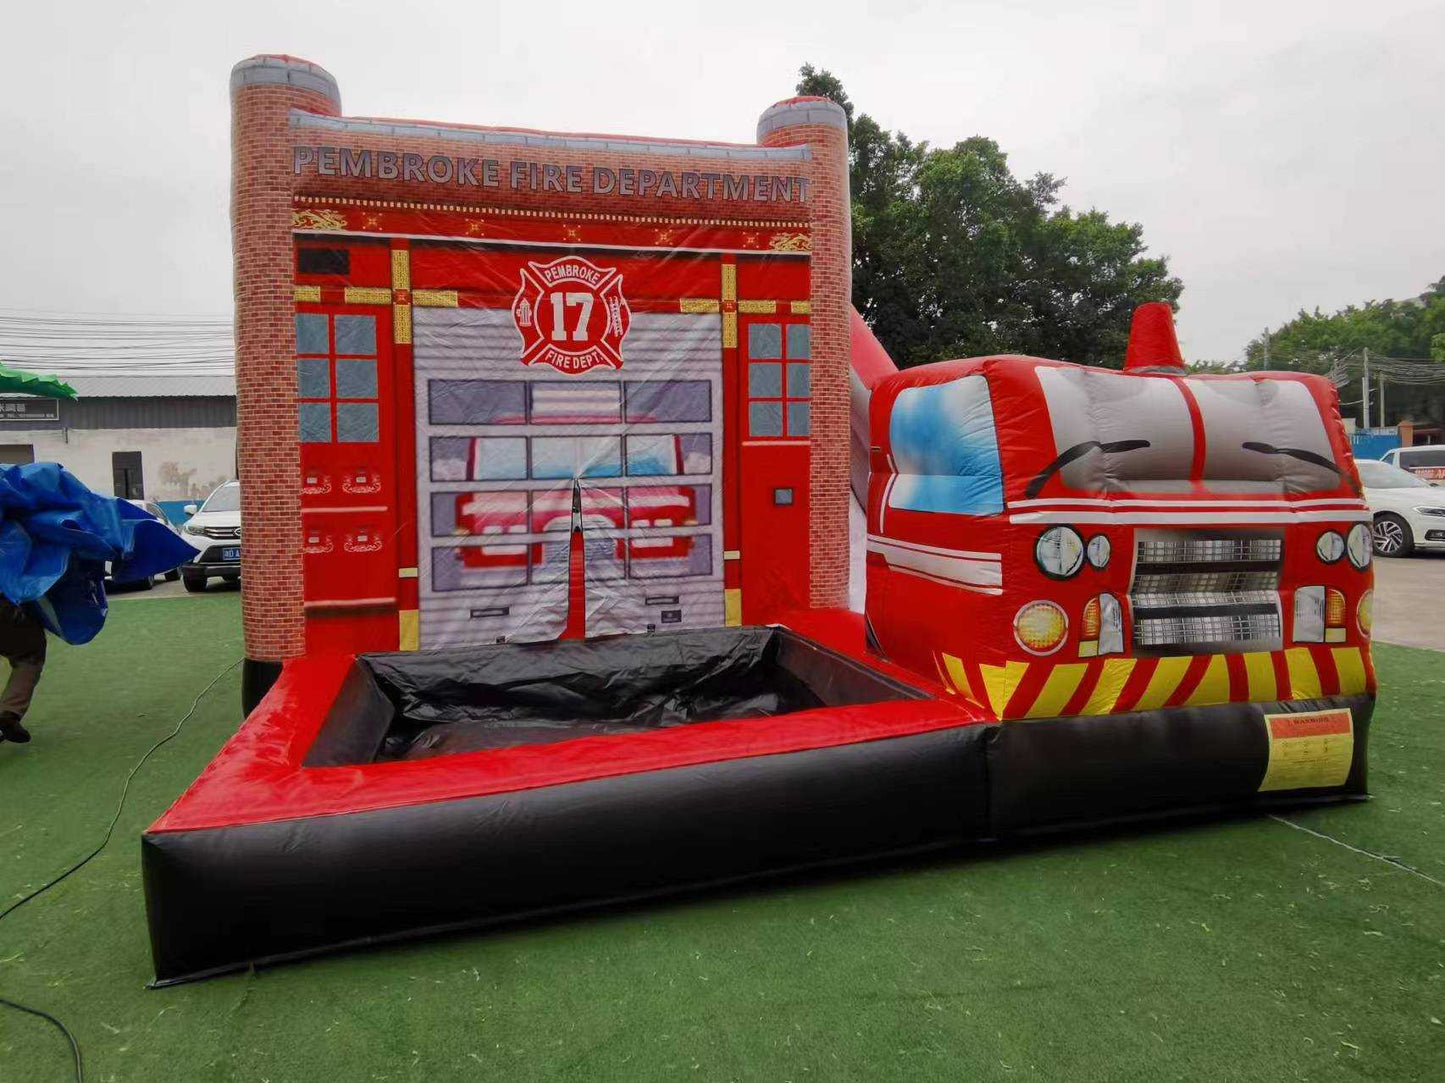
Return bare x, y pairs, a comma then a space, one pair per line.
1197, 592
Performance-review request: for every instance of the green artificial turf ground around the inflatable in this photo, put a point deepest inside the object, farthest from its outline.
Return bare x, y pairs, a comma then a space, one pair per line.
1241, 951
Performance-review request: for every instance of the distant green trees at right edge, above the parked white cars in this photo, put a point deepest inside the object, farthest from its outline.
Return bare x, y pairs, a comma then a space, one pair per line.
1414, 329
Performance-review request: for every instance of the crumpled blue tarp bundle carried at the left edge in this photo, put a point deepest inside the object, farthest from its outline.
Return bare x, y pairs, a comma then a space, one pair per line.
57, 539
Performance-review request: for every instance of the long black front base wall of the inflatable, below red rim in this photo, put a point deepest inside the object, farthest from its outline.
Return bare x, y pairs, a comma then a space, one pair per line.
229, 897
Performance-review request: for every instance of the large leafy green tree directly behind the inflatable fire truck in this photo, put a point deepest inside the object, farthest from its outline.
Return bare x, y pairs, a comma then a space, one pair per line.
953, 255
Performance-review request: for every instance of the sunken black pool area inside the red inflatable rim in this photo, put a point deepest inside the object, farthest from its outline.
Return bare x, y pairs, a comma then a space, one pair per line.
420, 705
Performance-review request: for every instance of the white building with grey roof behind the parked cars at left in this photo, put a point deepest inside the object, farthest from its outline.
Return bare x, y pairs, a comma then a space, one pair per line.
165, 439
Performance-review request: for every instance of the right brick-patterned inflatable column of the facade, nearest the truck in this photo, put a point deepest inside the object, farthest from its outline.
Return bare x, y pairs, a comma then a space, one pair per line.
824, 128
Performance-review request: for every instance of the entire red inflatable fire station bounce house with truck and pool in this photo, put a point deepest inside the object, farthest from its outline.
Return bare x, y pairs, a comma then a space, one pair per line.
547, 452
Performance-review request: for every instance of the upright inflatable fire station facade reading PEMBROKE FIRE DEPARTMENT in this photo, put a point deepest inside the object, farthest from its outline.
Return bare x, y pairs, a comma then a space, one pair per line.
465, 351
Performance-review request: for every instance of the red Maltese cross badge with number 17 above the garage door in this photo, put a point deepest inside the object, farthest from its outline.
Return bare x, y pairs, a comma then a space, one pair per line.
571, 314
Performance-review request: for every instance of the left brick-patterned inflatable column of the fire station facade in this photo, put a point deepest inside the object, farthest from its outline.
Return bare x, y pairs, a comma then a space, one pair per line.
264, 93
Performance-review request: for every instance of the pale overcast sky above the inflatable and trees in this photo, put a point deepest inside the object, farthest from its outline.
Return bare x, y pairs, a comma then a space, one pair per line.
1282, 155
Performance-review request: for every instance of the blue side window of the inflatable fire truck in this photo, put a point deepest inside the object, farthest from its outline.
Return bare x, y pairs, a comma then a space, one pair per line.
946, 450
